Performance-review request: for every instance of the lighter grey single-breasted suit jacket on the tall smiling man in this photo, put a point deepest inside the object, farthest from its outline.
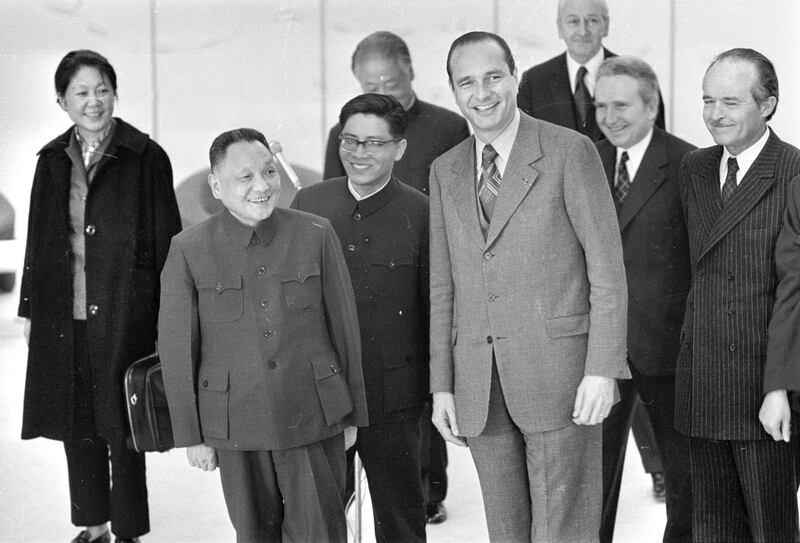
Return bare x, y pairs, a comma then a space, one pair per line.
545, 289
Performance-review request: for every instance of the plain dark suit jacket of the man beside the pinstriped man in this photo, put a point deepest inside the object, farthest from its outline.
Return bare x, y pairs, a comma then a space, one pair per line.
656, 249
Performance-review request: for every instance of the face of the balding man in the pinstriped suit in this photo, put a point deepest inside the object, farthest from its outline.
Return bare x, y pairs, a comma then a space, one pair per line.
730, 111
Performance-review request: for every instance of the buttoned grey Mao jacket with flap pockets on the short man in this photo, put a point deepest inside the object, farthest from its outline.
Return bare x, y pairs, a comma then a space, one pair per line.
258, 334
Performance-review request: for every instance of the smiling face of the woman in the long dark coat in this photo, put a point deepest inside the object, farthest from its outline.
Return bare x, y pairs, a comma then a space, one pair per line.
89, 102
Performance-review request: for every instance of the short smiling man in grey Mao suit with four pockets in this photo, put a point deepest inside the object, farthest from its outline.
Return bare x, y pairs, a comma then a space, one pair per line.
261, 351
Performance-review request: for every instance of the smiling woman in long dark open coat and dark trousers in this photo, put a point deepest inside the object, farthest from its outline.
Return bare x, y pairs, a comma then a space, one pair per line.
102, 214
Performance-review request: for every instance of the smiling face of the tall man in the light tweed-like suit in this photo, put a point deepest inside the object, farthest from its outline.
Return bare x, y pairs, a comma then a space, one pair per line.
484, 88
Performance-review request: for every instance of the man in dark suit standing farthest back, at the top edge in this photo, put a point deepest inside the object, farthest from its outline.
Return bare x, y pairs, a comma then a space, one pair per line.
560, 90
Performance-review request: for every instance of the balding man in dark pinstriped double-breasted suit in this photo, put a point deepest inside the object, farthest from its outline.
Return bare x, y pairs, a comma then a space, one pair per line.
743, 462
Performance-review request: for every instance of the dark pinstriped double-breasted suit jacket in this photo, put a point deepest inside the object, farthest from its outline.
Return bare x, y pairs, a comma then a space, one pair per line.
720, 372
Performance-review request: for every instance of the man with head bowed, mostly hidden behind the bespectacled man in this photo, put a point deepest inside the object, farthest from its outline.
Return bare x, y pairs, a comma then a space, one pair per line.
382, 64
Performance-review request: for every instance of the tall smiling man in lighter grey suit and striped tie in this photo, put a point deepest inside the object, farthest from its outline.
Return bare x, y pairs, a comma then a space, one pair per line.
528, 304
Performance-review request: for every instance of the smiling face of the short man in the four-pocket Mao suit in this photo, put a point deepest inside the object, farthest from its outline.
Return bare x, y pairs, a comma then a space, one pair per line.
247, 182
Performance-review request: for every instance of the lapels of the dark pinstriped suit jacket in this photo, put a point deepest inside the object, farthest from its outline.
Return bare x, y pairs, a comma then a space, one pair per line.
757, 181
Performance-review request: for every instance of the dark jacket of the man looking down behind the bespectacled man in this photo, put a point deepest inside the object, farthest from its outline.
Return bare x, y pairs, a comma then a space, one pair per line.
431, 131
